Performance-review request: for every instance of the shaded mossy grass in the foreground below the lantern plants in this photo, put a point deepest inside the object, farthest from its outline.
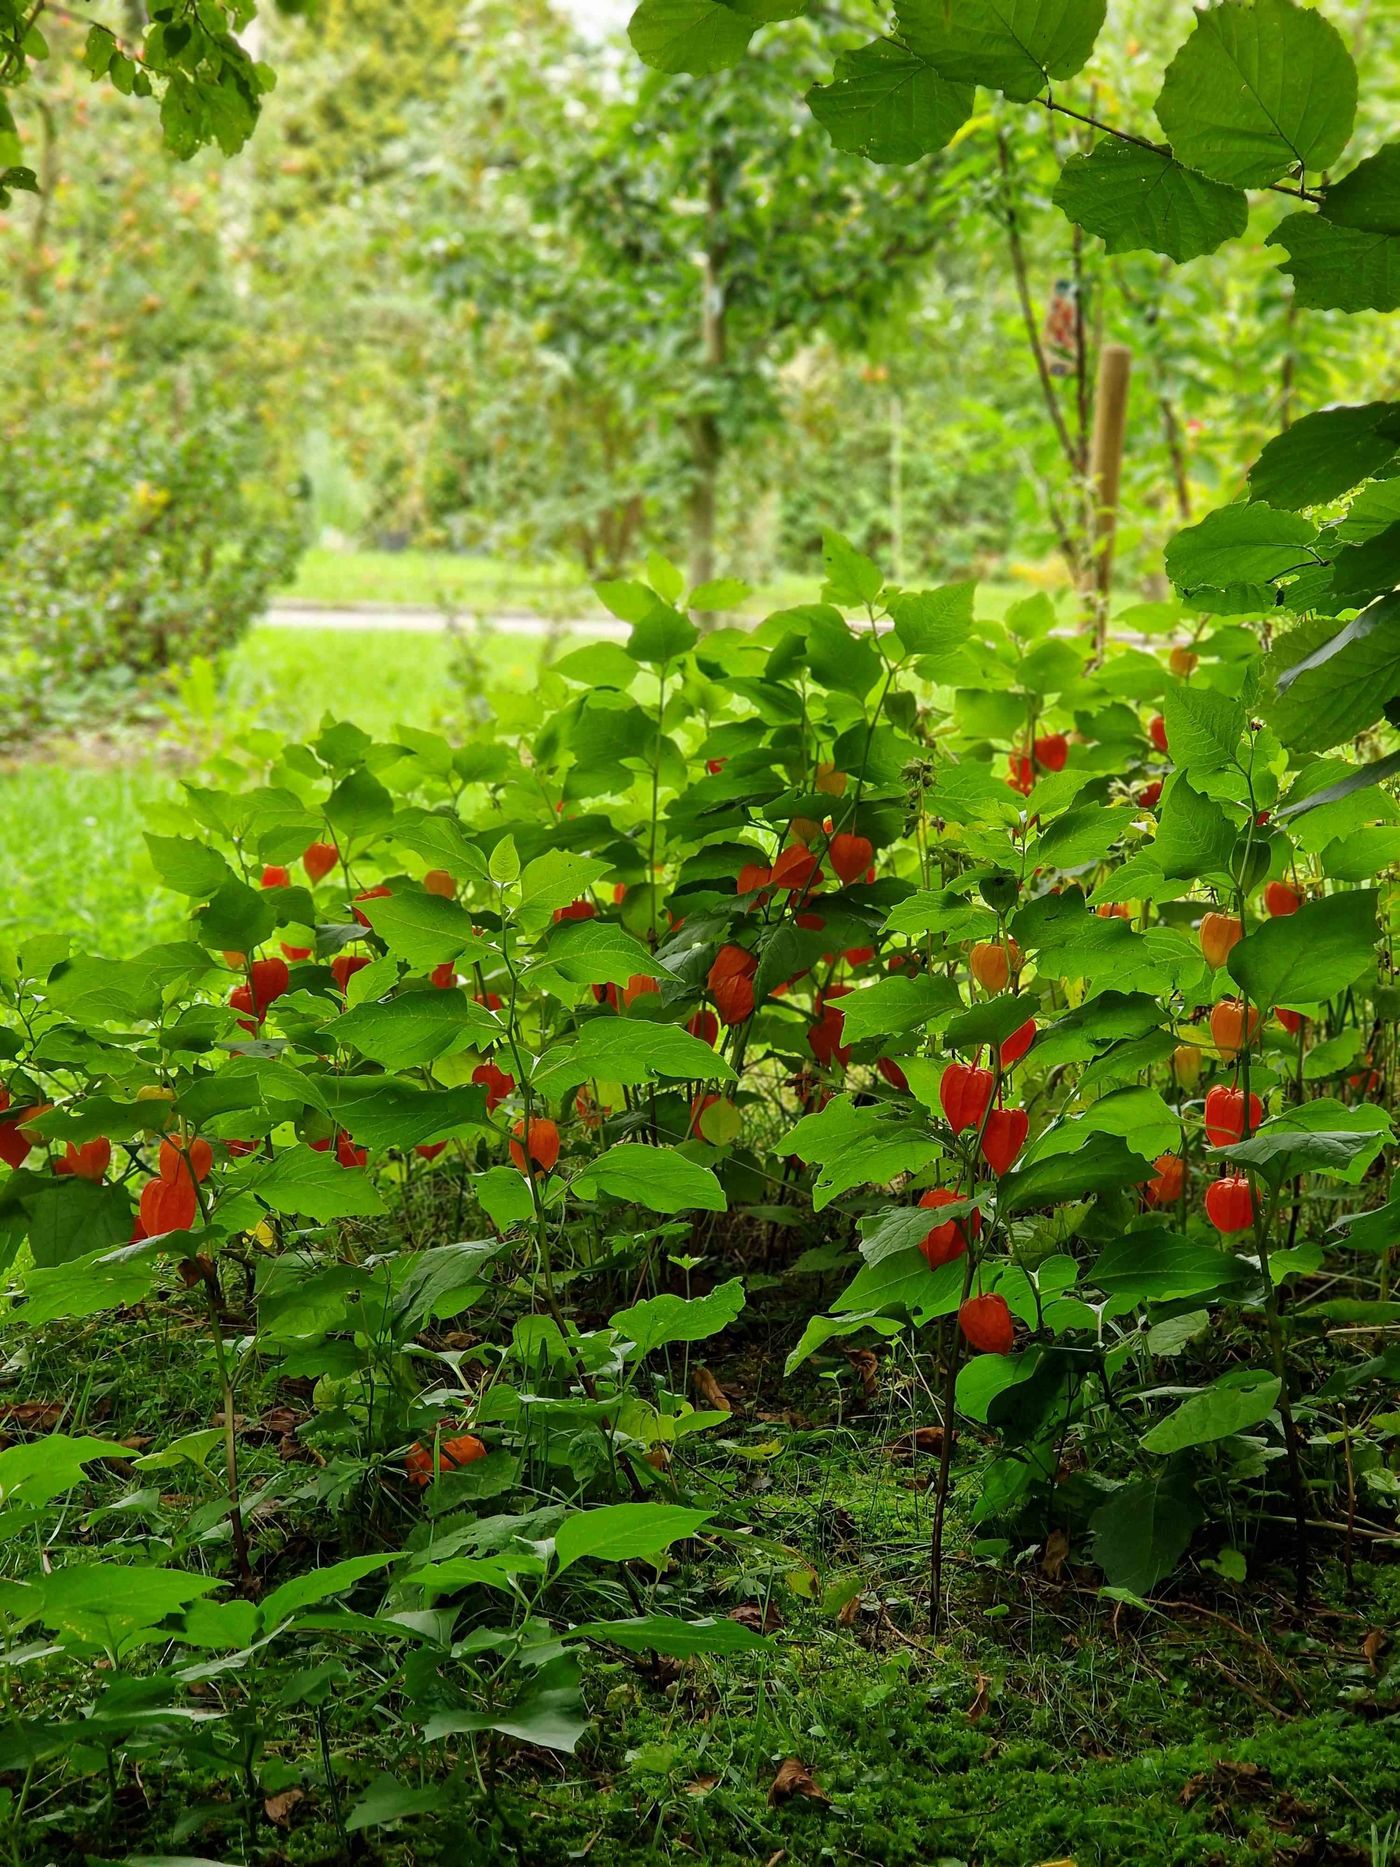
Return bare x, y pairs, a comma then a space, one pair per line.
1046, 1726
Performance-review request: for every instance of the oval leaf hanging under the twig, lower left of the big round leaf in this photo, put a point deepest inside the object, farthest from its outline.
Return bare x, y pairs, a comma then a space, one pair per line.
1136, 199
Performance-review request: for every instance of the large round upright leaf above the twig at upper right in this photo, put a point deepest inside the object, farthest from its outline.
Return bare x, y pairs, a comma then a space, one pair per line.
1259, 89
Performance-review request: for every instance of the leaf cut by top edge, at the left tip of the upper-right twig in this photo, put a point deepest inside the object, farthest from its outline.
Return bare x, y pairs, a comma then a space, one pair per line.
1009, 46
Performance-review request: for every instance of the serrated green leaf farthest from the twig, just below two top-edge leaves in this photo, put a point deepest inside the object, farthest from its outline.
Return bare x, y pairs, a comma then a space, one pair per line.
889, 105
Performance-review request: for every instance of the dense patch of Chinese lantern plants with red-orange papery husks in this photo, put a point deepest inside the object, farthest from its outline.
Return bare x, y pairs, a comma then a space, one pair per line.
736, 955
